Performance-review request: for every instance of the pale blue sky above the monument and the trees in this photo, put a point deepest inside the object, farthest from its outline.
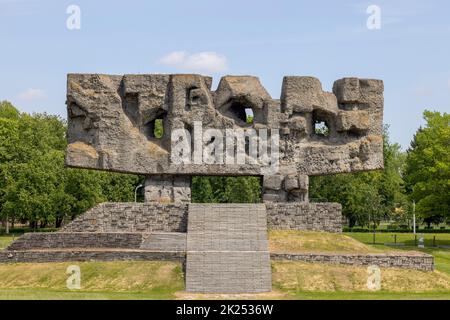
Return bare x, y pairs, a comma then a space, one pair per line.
325, 39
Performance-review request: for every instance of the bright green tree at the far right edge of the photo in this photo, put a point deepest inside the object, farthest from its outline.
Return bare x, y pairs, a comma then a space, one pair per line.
428, 168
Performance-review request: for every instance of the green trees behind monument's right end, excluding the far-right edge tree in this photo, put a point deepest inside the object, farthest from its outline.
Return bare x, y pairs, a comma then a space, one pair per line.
366, 195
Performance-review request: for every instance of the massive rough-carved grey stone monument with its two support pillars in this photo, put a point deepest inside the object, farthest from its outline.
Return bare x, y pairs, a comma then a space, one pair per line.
112, 120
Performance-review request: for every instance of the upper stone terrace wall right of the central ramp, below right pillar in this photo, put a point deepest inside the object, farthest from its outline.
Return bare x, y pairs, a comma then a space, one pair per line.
305, 216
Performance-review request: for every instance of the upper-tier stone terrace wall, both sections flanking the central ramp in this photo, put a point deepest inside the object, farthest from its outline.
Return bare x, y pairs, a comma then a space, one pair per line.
151, 217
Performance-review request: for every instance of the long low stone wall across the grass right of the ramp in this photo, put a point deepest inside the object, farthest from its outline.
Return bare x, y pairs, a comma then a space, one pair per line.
416, 261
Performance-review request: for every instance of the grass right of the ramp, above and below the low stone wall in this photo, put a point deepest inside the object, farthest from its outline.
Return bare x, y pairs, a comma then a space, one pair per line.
341, 282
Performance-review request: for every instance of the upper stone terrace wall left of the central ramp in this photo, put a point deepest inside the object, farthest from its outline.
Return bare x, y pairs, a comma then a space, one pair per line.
131, 217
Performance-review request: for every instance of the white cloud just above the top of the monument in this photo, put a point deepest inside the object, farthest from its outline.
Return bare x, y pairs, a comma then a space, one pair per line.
195, 62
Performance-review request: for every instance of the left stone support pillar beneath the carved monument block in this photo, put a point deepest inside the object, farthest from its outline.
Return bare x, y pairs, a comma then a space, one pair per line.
167, 189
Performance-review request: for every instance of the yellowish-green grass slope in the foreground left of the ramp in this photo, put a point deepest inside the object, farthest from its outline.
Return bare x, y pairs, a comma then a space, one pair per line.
99, 280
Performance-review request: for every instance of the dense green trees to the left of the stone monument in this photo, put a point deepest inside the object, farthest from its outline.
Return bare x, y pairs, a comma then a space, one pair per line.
35, 186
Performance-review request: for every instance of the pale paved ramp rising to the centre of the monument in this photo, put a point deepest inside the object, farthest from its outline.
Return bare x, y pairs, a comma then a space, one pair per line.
227, 249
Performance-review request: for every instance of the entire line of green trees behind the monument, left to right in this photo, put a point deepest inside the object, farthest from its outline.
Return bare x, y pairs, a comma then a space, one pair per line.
37, 189
